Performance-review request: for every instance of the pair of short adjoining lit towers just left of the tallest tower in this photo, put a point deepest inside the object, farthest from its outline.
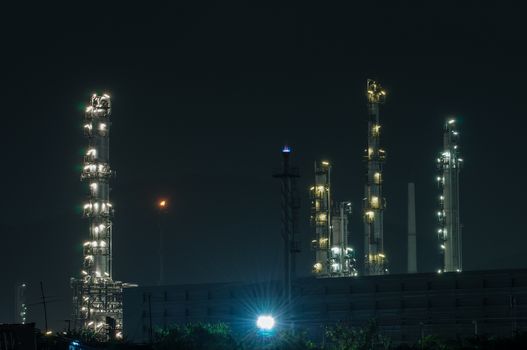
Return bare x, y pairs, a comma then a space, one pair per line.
333, 255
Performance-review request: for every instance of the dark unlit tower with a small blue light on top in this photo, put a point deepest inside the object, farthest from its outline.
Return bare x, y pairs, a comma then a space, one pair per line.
290, 205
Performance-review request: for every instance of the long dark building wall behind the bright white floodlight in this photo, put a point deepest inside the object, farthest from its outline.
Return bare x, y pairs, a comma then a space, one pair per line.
405, 306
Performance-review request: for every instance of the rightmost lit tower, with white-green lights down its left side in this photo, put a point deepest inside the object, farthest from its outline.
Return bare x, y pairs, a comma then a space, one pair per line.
449, 232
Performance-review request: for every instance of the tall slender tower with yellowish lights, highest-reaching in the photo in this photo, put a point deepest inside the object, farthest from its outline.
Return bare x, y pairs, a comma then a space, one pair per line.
374, 203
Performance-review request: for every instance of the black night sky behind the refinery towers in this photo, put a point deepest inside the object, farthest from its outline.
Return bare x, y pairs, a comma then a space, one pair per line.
204, 97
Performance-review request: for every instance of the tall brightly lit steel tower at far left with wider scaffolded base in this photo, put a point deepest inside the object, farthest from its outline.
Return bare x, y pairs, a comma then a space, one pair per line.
97, 298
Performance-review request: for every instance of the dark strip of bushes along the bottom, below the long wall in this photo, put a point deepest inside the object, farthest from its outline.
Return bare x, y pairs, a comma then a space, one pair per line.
219, 336
